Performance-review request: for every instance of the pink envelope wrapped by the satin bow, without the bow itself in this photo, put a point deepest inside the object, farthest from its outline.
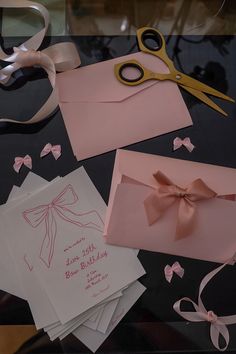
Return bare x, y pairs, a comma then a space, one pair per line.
126, 223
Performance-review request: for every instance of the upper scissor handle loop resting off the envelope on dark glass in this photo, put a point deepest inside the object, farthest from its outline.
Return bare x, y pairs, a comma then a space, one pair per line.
151, 41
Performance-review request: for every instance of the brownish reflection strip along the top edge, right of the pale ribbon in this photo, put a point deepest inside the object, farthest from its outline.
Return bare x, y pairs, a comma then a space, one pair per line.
113, 17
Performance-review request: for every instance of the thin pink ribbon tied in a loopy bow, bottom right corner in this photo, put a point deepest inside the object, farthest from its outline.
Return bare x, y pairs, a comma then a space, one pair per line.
217, 324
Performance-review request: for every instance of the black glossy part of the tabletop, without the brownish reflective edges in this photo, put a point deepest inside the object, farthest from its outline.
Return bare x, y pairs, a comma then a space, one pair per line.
151, 326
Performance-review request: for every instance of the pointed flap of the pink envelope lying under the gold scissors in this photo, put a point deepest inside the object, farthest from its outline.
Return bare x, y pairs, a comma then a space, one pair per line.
97, 82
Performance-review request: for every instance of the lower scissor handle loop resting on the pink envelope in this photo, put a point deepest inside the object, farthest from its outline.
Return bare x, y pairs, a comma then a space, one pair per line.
143, 74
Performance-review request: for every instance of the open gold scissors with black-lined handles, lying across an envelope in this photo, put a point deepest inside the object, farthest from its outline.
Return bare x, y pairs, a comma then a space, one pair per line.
151, 41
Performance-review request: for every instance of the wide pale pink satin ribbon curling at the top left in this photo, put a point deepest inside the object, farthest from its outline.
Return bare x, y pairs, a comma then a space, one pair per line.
58, 57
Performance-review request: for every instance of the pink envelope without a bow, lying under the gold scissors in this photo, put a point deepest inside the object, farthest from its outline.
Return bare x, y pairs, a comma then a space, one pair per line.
101, 114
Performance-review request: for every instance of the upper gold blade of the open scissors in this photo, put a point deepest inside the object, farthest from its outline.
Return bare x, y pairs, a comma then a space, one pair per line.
197, 85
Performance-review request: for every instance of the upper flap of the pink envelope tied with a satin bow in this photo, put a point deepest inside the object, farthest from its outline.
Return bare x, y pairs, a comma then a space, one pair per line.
141, 167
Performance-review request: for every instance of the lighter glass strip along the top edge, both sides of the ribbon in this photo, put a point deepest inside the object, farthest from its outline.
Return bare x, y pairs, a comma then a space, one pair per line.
120, 17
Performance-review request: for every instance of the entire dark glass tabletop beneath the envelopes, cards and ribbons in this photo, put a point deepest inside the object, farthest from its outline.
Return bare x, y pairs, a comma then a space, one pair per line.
201, 41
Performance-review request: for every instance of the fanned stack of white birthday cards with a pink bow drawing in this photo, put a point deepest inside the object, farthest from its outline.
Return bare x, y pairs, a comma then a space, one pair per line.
53, 255
